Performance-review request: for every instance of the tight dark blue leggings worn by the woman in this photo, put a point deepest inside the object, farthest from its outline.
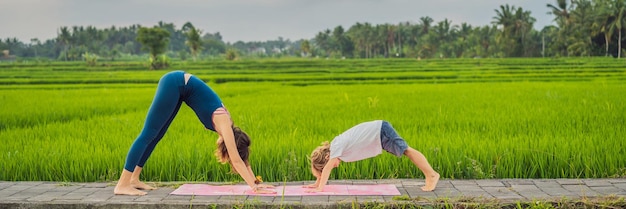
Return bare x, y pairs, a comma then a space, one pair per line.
170, 94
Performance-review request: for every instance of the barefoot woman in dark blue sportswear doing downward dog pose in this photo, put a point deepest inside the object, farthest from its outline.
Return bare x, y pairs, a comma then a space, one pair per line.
174, 88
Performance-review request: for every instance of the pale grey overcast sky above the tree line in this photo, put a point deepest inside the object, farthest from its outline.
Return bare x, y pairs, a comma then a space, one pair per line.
246, 20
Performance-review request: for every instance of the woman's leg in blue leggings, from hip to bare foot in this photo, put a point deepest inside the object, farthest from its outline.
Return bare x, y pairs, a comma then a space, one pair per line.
162, 111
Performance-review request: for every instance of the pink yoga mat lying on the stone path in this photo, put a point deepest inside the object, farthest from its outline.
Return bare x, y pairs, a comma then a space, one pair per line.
298, 190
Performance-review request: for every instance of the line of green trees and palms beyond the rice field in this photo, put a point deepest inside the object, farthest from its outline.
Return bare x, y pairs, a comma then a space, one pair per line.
582, 28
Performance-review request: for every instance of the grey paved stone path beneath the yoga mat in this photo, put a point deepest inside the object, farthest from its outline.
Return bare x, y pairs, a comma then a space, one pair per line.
100, 195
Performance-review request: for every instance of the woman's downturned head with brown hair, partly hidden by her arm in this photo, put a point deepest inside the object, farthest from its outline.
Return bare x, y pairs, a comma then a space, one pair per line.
242, 140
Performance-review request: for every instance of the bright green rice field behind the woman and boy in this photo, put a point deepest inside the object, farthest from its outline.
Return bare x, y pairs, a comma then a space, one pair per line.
472, 118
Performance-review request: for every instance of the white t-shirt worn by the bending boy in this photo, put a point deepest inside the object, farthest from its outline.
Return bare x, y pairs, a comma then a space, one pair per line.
357, 143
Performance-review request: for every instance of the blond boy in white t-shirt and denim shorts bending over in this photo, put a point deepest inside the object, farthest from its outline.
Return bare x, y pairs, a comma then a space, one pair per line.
363, 141
